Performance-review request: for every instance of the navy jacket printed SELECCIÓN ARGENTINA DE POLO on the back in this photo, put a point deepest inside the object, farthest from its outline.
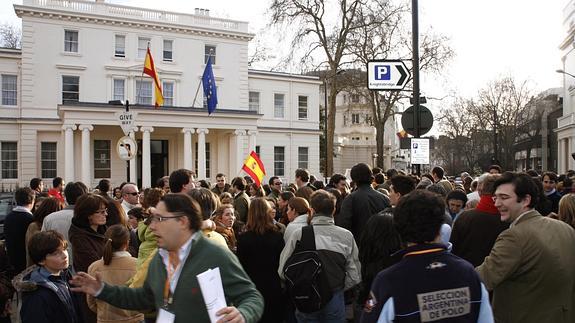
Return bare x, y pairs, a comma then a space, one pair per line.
428, 284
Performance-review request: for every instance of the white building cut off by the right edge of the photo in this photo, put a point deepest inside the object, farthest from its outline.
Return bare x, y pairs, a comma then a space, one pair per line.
566, 124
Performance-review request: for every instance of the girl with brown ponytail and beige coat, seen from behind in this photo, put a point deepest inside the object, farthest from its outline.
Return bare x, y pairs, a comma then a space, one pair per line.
116, 267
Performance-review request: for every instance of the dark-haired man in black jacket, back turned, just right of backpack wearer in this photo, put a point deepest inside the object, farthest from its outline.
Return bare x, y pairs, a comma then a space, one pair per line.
364, 202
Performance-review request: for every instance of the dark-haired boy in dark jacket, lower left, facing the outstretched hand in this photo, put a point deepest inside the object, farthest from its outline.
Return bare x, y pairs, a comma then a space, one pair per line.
46, 295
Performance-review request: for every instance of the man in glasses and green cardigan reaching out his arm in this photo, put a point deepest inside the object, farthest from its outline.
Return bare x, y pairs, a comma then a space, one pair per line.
171, 286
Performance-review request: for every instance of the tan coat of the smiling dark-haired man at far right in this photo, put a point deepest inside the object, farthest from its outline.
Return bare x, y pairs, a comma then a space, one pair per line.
531, 270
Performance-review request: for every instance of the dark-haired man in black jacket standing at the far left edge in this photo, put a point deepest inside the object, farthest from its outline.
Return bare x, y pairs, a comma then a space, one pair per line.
15, 226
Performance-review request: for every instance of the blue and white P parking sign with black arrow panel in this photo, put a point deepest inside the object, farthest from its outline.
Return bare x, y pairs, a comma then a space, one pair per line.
388, 75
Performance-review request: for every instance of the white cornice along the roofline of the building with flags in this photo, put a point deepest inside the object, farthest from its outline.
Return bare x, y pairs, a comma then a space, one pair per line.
143, 14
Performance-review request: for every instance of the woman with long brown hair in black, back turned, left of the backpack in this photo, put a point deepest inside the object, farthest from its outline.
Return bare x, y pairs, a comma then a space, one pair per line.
259, 250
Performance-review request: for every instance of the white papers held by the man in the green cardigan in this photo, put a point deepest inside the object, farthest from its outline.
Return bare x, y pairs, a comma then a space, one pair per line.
212, 289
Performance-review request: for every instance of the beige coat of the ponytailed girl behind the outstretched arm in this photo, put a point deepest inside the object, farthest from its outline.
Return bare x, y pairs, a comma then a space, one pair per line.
120, 270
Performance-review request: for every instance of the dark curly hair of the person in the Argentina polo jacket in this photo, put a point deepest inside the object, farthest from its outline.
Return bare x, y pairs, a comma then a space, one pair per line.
418, 216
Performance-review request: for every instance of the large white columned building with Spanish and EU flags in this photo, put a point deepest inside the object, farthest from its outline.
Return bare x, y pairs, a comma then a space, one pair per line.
76, 56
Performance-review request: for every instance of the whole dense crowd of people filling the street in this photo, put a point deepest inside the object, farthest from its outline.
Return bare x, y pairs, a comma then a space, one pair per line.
387, 246
